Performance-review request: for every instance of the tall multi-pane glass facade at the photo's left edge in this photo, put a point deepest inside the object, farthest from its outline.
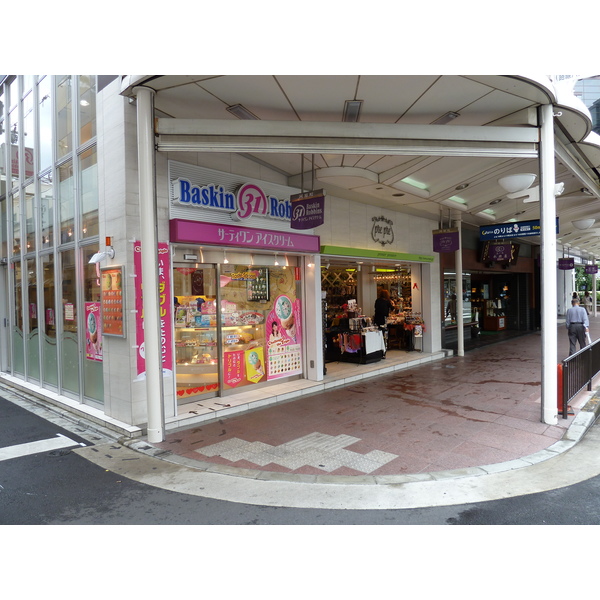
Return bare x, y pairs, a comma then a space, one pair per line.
49, 228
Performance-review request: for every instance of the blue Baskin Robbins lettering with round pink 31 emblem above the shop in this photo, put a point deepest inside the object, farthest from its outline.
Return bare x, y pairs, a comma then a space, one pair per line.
248, 200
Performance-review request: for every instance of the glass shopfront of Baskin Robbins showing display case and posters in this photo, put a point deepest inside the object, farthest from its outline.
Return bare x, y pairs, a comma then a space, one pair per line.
236, 325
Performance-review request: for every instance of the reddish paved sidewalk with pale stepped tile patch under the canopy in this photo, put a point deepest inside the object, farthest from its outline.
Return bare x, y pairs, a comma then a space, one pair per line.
444, 416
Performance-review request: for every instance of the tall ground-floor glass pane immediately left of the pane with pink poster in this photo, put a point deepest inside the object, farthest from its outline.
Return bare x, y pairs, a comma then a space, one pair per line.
69, 342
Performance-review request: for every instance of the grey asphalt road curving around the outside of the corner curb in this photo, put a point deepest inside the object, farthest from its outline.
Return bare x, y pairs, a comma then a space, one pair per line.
58, 486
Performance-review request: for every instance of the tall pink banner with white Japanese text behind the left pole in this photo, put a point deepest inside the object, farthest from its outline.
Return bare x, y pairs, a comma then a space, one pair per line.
166, 313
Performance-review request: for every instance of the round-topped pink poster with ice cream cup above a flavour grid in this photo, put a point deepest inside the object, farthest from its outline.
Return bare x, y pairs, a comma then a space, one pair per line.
284, 338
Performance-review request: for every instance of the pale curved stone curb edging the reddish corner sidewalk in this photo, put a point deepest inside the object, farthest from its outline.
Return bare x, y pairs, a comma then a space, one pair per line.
581, 424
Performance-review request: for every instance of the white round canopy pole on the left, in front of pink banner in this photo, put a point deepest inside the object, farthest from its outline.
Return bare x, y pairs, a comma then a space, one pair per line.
149, 242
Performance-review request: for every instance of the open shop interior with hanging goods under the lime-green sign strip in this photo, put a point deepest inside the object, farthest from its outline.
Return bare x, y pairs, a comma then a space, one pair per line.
349, 290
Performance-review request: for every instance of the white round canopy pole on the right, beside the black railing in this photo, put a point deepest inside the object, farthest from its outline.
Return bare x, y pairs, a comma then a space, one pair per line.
548, 272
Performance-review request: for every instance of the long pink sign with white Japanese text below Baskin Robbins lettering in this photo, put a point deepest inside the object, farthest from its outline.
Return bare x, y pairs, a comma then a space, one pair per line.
196, 232
